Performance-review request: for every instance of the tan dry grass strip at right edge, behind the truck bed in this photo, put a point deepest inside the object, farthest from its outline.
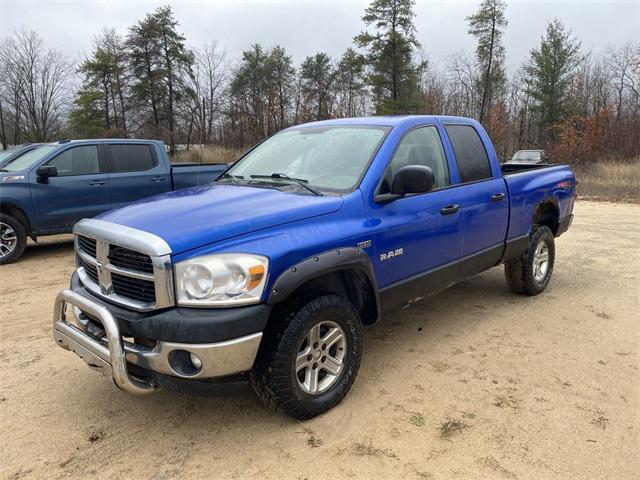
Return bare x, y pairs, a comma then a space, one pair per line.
613, 181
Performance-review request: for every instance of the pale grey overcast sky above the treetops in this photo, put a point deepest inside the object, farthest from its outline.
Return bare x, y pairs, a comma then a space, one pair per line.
307, 26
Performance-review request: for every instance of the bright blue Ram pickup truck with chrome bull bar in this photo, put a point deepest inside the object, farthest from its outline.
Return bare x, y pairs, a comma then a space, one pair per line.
270, 273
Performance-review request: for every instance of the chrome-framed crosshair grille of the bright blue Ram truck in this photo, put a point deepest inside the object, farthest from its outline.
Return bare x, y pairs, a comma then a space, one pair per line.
109, 268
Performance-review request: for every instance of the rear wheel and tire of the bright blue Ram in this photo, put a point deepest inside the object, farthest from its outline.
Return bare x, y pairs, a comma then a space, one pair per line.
530, 273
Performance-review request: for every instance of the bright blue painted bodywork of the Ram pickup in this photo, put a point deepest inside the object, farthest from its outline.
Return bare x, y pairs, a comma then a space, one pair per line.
290, 226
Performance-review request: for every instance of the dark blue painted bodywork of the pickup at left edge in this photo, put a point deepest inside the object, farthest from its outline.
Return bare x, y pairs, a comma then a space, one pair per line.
56, 205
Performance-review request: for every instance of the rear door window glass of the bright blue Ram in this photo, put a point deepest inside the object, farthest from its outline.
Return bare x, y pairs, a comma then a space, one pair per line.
471, 156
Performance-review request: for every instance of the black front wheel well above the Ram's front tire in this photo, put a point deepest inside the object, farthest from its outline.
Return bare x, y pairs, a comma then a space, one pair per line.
352, 284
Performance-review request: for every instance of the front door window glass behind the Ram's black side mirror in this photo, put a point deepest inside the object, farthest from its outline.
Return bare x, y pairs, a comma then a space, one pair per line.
422, 146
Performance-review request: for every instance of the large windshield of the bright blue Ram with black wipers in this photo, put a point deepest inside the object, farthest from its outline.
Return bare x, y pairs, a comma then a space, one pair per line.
324, 158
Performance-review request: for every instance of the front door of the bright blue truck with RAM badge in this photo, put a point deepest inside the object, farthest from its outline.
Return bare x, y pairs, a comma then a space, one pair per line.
418, 239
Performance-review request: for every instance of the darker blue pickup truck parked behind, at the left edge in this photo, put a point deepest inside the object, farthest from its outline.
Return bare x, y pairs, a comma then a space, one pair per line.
46, 189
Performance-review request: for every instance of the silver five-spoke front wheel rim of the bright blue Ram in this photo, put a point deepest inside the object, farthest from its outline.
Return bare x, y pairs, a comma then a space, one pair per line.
320, 358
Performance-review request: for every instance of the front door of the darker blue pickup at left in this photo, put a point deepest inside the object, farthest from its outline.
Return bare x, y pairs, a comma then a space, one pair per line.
80, 190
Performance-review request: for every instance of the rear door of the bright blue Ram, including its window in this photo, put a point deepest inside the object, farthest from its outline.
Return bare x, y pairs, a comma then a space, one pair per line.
484, 201
